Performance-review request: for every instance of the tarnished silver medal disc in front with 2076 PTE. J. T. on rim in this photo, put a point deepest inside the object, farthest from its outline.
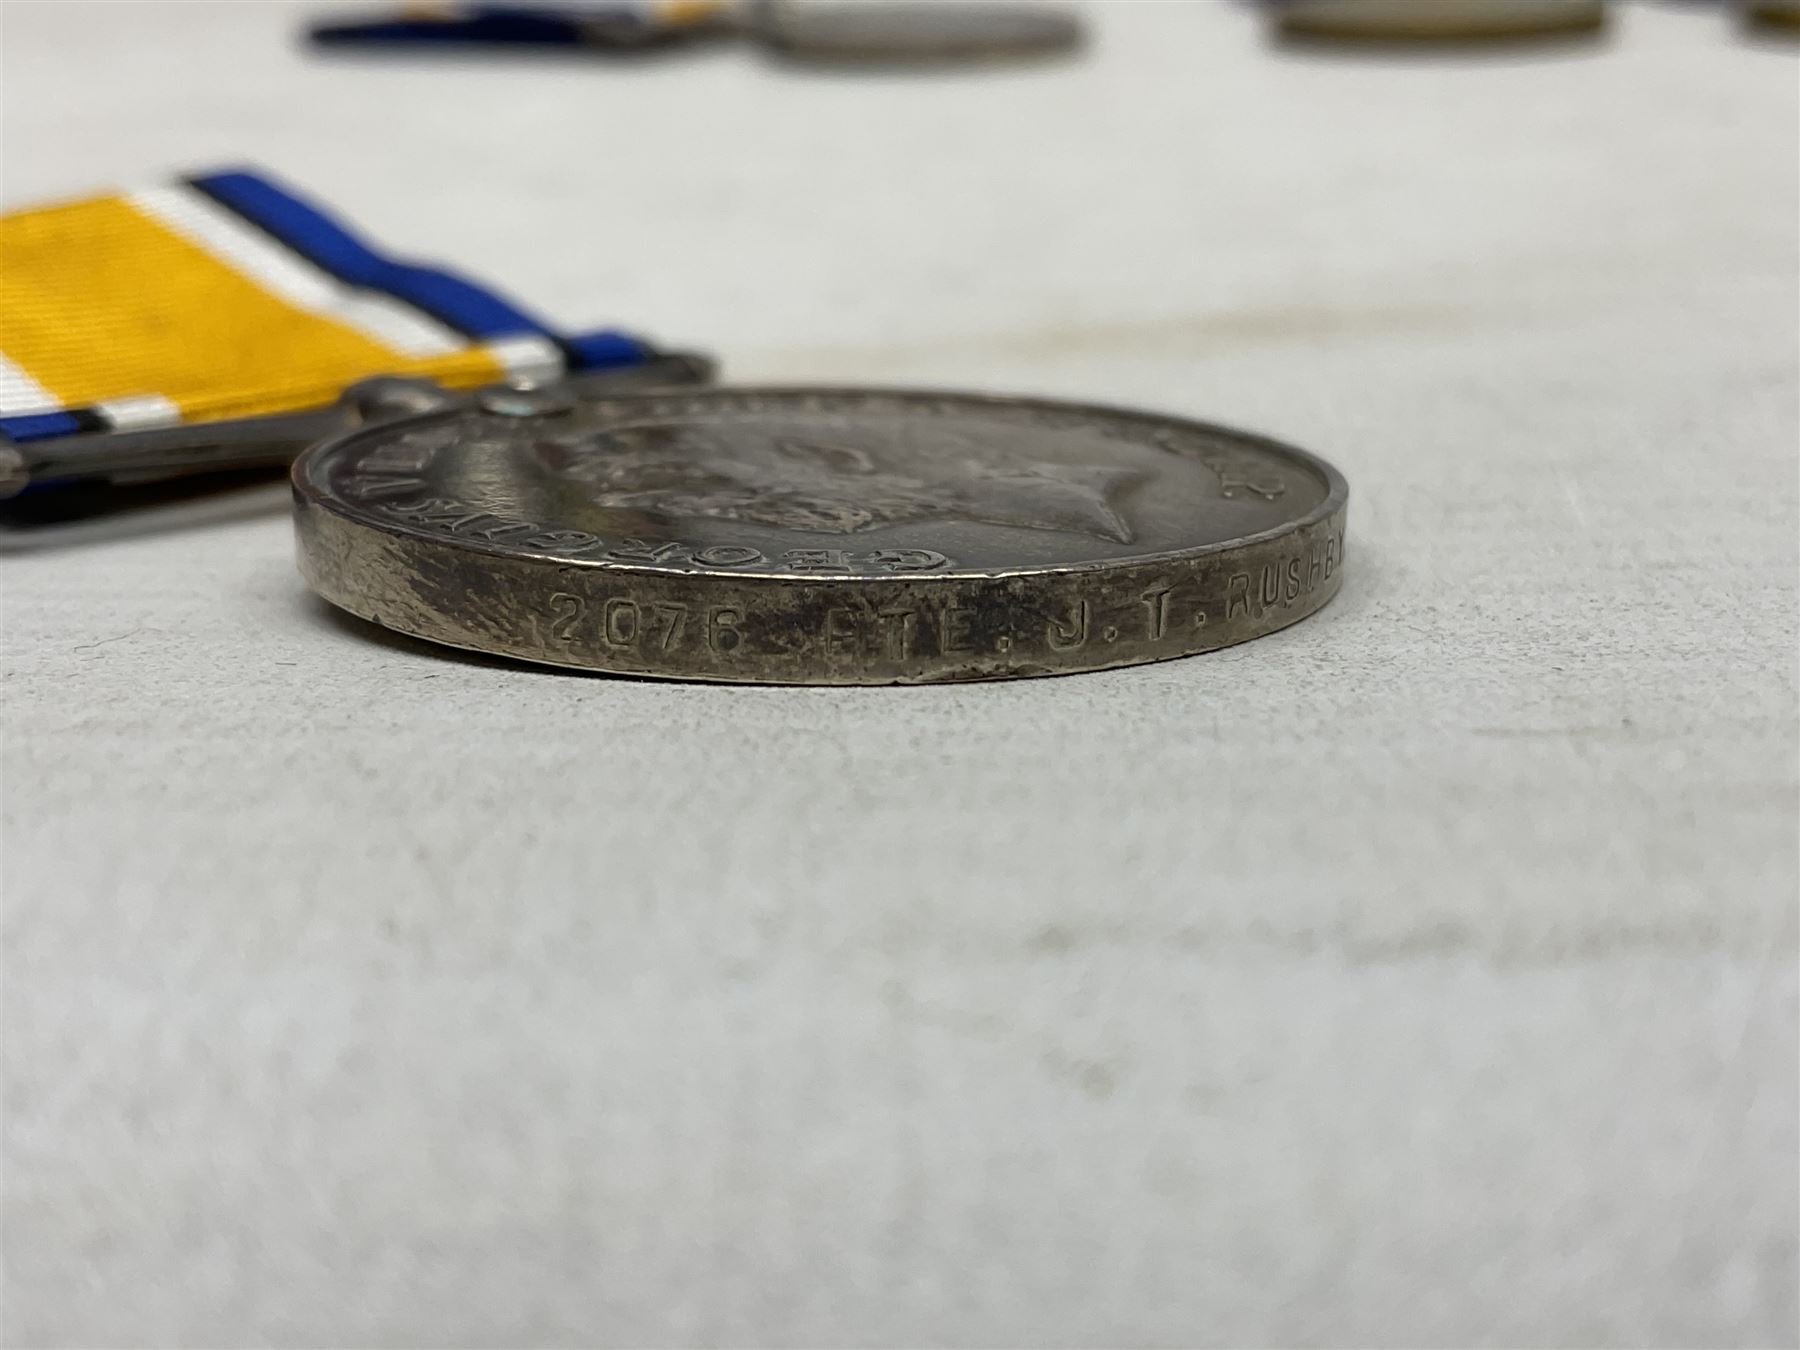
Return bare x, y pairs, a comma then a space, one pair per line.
818, 535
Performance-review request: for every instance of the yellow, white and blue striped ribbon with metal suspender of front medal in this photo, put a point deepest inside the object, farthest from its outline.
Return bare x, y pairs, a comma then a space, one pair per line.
222, 323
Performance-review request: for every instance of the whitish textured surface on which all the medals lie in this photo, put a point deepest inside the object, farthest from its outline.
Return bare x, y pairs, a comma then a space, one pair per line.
1423, 975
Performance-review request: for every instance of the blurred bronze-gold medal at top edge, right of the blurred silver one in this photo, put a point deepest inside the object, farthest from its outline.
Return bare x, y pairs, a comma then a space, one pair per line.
1443, 21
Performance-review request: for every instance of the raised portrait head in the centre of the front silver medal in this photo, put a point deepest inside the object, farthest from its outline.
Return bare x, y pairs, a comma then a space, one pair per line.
811, 476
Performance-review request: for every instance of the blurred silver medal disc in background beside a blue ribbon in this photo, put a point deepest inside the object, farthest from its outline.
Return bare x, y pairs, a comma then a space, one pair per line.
917, 31
